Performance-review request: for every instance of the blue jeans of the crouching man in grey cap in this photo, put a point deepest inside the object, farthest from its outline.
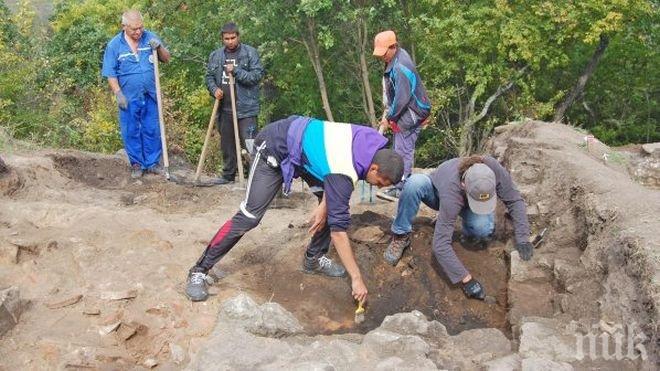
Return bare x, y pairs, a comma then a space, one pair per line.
419, 188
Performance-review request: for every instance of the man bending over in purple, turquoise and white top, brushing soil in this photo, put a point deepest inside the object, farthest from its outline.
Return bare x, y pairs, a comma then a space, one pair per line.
330, 157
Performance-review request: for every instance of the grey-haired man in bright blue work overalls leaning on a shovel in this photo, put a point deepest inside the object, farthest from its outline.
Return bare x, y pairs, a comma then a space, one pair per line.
128, 64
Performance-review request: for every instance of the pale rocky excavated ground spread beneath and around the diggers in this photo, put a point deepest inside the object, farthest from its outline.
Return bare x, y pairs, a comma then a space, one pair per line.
93, 264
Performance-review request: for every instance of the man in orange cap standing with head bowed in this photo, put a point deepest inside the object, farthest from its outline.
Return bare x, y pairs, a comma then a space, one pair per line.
406, 103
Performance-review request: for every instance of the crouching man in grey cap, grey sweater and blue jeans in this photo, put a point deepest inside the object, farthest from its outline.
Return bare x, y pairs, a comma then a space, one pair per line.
469, 187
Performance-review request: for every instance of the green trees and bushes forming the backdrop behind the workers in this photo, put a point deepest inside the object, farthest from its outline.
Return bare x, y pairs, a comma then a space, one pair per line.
51, 90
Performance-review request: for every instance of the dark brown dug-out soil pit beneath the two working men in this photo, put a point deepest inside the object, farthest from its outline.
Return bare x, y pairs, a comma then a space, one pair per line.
323, 305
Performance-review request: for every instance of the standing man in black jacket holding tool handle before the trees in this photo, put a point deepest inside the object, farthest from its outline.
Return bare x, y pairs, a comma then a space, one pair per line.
242, 61
